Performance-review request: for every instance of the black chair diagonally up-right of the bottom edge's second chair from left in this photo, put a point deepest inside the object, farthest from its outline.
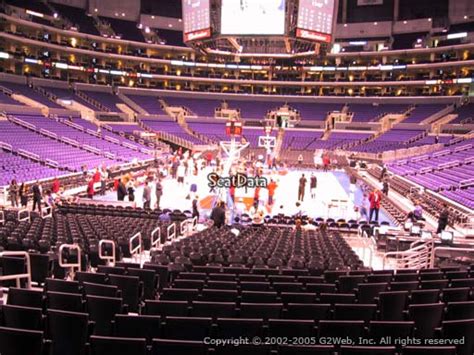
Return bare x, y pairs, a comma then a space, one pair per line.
102, 311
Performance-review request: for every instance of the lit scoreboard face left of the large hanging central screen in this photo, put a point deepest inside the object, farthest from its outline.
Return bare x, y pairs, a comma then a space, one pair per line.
196, 17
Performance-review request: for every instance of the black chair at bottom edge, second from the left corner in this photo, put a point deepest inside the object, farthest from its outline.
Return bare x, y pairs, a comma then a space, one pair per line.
68, 331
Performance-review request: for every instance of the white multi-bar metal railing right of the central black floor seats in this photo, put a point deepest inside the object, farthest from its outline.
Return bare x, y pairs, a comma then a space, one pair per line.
417, 257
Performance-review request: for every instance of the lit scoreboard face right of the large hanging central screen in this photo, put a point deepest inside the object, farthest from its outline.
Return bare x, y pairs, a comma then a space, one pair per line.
315, 20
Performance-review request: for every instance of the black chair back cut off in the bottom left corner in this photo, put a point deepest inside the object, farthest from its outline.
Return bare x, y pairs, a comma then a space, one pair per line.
21, 342
